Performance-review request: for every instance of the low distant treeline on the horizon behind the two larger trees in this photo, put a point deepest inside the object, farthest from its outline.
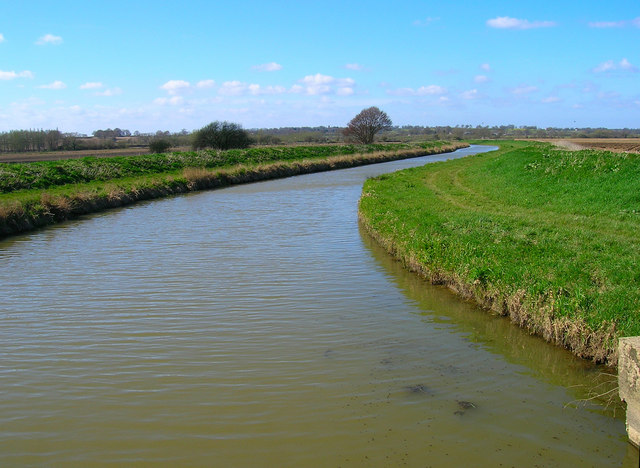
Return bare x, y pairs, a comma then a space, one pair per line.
54, 140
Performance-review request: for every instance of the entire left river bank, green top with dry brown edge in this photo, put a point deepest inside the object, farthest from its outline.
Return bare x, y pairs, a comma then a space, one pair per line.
37, 194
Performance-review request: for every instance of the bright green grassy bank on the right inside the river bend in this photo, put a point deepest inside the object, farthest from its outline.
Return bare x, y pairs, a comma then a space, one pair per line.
549, 237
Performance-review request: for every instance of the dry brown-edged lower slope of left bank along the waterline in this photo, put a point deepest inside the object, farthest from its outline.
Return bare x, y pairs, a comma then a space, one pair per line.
45, 207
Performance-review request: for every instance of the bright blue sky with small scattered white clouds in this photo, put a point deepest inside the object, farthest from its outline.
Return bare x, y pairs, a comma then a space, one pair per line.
142, 65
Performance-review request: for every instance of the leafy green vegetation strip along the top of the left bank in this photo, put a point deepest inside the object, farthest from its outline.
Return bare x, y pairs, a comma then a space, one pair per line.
46, 174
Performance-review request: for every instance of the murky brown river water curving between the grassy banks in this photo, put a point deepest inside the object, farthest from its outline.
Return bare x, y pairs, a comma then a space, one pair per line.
256, 326
